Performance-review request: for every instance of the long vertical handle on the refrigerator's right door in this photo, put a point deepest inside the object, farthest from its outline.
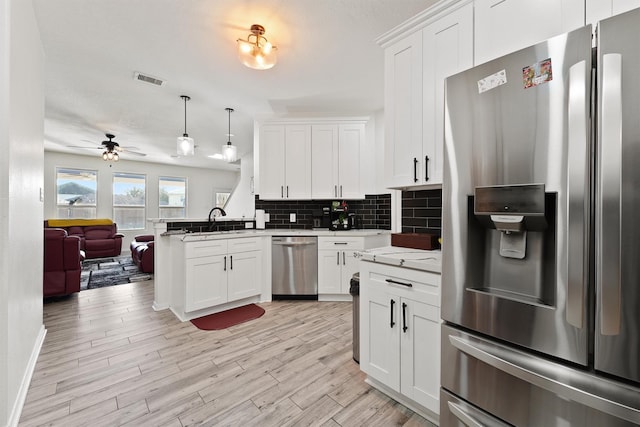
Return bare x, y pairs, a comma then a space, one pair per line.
608, 254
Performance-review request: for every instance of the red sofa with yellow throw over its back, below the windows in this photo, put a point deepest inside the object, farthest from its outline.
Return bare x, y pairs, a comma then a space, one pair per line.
98, 237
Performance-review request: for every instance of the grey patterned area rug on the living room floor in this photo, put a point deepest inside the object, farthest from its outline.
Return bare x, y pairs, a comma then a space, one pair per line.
110, 271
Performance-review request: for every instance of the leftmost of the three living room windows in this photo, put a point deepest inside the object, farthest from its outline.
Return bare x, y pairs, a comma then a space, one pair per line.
76, 193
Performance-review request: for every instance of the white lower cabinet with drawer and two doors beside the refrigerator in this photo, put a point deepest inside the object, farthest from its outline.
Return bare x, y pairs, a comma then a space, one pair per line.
400, 331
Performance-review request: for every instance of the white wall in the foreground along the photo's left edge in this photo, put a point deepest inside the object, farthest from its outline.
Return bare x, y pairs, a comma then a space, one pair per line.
21, 246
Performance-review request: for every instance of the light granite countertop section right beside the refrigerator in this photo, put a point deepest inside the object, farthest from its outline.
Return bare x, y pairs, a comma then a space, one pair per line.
405, 257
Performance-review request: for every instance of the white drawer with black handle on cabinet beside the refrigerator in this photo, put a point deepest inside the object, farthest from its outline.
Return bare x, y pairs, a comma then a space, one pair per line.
422, 286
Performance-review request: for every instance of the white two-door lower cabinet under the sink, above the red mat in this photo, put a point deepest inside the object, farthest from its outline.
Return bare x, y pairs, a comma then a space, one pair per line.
220, 271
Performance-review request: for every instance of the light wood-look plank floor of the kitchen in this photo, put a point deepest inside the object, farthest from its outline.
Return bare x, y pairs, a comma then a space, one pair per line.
108, 359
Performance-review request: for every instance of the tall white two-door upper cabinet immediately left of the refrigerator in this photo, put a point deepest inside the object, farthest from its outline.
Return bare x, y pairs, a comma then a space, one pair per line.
415, 69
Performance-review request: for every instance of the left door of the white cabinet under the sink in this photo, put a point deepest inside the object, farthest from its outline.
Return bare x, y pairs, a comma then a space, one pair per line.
206, 282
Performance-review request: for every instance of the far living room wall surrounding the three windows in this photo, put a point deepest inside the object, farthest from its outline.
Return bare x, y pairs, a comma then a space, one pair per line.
201, 184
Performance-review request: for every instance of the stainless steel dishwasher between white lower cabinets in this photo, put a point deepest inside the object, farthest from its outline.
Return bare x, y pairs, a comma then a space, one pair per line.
294, 267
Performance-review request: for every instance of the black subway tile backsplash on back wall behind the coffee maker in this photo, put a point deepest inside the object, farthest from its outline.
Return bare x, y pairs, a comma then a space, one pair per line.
374, 212
